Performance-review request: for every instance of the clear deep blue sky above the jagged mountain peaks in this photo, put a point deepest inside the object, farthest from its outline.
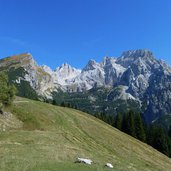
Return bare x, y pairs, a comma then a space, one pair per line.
74, 31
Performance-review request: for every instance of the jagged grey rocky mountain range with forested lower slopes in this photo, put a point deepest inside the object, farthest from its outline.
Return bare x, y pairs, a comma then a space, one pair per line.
136, 80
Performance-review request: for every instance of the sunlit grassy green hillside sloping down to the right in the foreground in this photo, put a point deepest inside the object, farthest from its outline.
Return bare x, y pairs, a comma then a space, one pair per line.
51, 138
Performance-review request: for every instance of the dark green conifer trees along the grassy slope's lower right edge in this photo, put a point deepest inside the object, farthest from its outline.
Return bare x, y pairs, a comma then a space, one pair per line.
133, 124
